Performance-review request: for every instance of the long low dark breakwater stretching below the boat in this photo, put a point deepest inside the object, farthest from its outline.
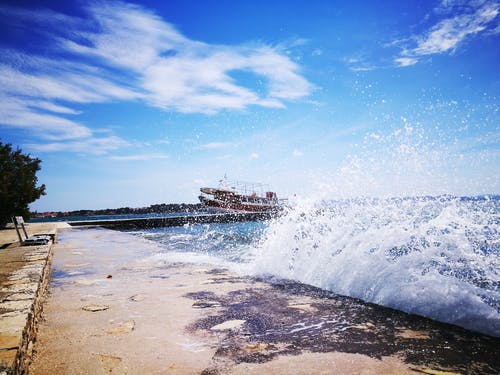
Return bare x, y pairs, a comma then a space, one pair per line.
158, 222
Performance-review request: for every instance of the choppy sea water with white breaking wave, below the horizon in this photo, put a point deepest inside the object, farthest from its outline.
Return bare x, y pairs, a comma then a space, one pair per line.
438, 257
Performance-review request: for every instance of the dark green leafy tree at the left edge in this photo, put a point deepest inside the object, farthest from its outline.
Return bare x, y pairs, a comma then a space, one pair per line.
17, 183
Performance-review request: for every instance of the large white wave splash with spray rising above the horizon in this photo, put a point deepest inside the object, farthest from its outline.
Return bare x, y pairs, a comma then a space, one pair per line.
437, 255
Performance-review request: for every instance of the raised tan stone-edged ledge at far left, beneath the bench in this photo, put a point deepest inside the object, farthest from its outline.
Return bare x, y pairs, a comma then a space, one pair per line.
24, 275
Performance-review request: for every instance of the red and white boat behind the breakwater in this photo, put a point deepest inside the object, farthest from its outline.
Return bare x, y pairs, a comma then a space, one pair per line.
241, 196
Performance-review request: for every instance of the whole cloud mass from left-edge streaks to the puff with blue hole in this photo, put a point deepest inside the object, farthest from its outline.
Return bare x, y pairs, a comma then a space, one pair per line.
124, 52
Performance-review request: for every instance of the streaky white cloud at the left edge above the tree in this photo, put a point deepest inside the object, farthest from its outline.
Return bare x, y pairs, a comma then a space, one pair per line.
31, 100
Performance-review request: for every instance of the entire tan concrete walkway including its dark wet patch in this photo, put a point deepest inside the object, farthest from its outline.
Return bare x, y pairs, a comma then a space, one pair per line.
115, 307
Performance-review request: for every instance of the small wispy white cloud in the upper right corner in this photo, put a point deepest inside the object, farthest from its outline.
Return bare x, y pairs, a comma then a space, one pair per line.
469, 20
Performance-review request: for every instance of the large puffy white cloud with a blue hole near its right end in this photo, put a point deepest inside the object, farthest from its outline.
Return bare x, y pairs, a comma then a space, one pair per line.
184, 75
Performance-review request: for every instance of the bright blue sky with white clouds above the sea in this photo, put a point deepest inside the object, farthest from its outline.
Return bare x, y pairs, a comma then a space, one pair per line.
139, 103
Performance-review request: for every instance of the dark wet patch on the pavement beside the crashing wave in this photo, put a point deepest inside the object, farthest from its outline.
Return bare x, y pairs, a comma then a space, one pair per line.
287, 318
